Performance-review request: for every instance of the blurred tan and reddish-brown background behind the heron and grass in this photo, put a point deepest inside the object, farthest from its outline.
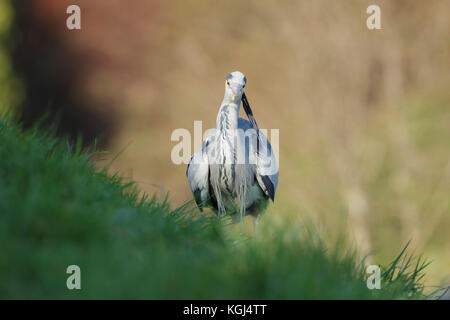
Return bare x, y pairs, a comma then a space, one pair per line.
364, 115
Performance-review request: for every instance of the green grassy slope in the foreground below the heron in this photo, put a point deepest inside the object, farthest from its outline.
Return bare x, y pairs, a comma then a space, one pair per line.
58, 209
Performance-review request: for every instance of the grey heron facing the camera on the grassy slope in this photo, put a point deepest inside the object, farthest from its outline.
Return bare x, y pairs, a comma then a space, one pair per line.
235, 172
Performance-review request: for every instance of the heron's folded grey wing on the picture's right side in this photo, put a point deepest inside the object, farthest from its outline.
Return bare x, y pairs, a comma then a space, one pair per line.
261, 154
